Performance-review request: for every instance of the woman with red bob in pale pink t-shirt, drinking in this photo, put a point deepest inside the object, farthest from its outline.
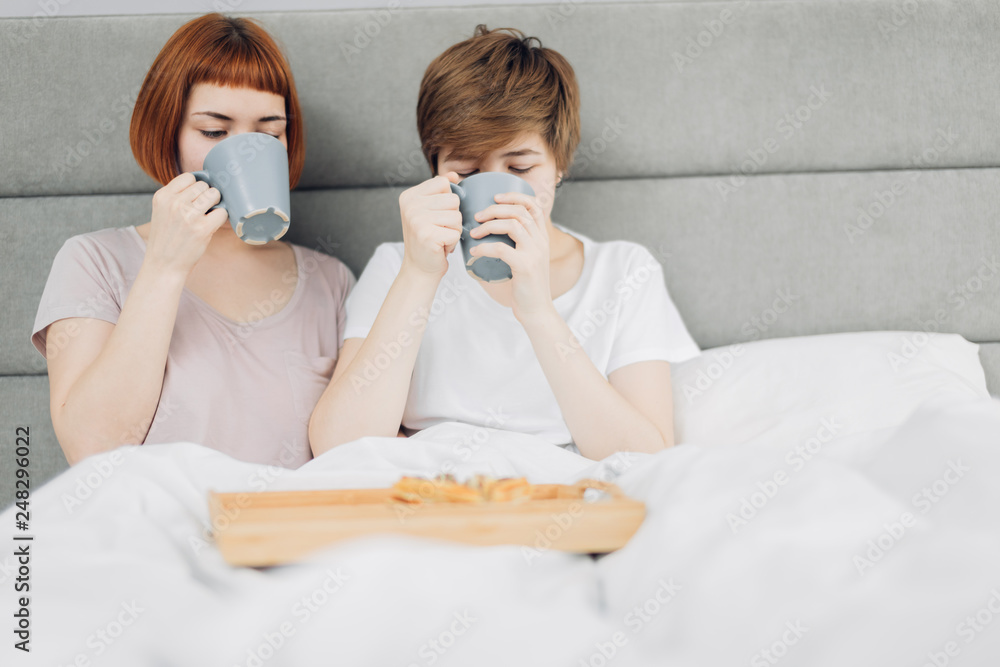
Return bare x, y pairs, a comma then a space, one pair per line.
176, 330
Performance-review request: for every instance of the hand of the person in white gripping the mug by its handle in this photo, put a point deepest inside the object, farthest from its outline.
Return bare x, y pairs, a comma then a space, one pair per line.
432, 224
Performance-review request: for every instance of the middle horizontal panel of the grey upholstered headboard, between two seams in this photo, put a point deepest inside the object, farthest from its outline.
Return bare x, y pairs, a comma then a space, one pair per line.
928, 261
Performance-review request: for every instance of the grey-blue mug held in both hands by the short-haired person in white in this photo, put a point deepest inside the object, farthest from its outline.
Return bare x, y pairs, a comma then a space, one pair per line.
476, 193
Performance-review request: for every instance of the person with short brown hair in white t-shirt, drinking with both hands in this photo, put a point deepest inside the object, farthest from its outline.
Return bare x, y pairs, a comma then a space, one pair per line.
574, 348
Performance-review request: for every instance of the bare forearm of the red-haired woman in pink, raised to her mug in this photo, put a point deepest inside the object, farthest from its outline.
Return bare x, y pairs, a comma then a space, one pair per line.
114, 400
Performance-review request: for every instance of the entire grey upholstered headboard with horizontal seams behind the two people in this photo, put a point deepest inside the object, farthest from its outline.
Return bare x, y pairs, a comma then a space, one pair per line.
841, 157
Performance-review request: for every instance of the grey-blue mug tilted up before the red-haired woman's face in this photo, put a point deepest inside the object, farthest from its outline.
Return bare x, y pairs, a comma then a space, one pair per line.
250, 170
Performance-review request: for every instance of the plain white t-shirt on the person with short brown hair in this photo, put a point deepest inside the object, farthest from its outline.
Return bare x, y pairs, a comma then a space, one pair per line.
476, 364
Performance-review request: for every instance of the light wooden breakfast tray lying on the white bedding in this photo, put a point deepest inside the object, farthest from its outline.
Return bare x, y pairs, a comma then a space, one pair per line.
273, 527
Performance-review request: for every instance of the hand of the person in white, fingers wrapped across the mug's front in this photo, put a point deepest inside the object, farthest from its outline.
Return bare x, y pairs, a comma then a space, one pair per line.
520, 217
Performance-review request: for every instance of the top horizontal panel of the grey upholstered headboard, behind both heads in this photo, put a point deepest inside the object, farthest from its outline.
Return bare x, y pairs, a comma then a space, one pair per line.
670, 97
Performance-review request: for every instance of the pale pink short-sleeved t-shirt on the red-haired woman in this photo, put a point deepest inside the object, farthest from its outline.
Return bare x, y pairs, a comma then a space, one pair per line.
246, 389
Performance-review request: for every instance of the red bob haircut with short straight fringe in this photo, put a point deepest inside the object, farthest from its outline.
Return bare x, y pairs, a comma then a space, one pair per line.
215, 49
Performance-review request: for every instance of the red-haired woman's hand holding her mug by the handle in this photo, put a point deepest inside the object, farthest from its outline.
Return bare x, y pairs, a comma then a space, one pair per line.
182, 225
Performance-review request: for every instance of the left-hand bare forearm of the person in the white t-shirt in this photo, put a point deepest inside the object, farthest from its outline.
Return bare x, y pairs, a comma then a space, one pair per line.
368, 396
